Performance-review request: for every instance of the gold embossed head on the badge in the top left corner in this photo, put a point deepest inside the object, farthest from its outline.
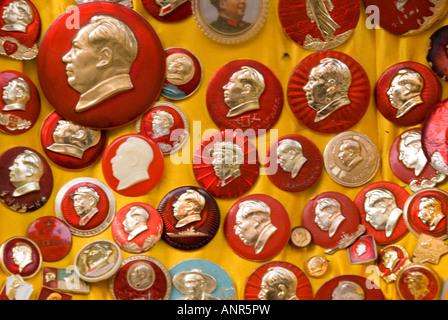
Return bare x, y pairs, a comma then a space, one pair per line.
17, 16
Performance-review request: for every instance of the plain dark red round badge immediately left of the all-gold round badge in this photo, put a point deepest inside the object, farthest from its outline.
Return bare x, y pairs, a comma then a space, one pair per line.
293, 163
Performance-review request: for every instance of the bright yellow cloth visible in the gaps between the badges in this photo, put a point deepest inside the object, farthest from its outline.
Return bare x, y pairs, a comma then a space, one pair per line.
376, 50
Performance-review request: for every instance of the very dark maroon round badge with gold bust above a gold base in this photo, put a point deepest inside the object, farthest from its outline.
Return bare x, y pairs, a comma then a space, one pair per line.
191, 218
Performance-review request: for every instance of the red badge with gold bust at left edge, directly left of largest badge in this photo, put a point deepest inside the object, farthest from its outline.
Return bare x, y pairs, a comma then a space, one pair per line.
20, 103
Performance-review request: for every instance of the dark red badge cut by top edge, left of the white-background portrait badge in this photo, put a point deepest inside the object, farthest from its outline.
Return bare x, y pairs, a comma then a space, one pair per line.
168, 11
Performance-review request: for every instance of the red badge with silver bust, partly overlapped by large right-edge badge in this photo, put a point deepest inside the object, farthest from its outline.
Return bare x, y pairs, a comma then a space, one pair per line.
409, 163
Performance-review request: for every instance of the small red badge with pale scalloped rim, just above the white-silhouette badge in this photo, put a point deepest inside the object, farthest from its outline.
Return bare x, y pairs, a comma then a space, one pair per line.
166, 124
